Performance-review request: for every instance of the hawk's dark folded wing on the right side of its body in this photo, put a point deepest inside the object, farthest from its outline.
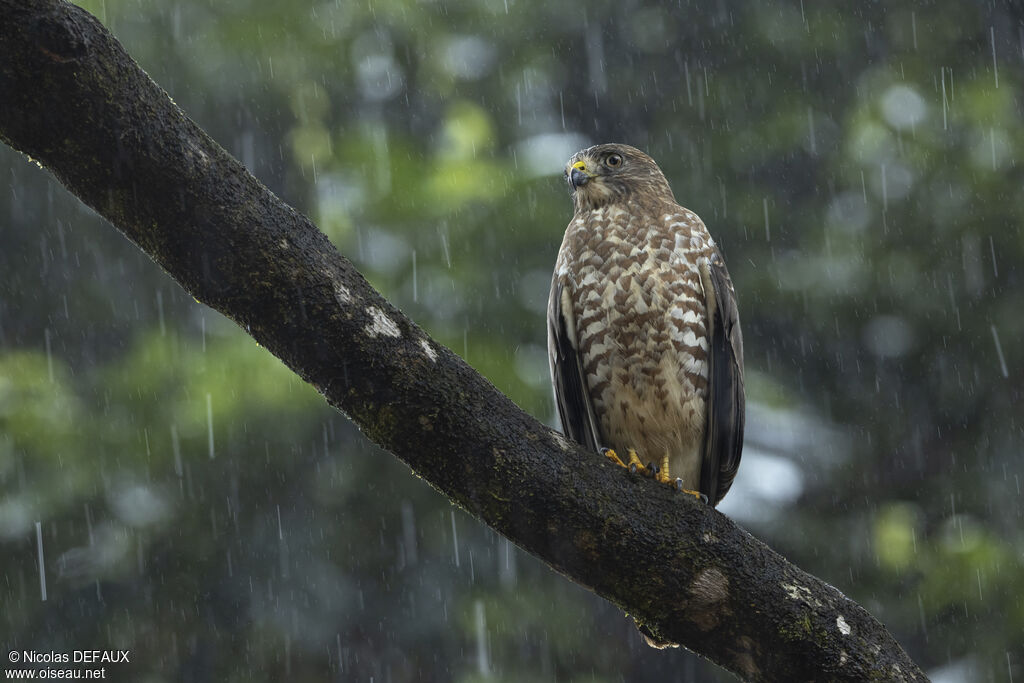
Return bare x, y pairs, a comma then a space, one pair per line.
724, 433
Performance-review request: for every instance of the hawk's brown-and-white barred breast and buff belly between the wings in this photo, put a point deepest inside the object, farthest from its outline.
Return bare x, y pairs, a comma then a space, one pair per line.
642, 328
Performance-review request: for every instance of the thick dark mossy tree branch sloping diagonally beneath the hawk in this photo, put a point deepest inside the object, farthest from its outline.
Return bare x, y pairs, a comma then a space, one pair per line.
72, 99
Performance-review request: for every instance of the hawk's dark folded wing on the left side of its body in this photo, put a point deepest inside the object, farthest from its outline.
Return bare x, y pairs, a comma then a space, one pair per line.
572, 396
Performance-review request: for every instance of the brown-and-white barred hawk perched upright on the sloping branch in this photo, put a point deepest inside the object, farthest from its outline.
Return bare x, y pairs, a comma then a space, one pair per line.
645, 345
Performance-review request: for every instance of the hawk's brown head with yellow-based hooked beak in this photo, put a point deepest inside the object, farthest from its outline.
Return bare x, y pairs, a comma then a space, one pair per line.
615, 174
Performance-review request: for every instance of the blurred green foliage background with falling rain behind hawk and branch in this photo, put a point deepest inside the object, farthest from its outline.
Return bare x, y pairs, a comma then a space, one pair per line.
200, 506
